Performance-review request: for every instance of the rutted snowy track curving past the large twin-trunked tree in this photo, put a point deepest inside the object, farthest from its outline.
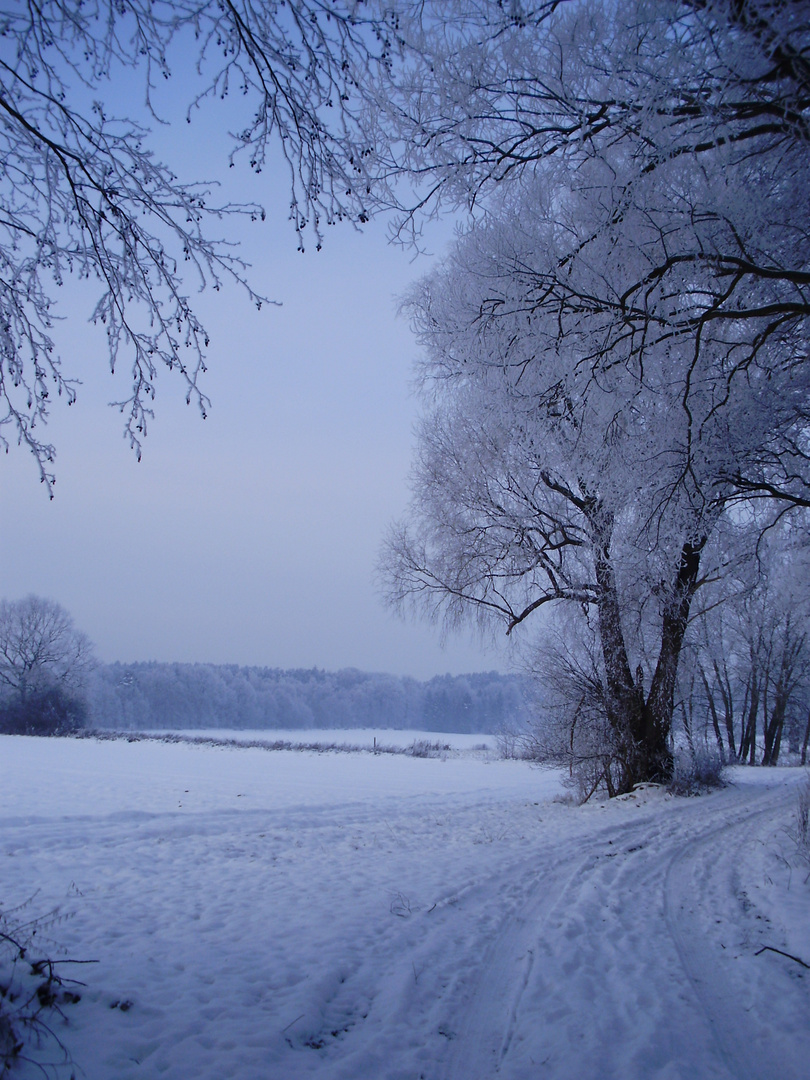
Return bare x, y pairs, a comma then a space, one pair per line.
619, 980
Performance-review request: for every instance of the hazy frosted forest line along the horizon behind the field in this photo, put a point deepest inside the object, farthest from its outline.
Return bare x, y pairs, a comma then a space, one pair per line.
144, 696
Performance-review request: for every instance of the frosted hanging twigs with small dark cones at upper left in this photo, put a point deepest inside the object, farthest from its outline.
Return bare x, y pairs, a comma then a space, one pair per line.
83, 194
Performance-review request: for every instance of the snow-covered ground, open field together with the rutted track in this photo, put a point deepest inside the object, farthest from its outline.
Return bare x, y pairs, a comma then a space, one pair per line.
274, 916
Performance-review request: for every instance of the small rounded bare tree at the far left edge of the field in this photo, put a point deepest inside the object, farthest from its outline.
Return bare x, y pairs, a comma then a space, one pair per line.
45, 664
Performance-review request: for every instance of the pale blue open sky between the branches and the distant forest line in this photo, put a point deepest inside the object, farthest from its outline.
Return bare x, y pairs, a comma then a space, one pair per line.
250, 538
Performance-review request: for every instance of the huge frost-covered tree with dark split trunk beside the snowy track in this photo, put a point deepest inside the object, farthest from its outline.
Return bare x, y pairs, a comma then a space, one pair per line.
618, 350
